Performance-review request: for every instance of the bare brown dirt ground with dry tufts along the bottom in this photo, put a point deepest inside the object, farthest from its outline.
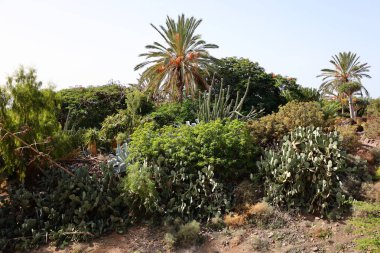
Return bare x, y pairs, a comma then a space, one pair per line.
301, 234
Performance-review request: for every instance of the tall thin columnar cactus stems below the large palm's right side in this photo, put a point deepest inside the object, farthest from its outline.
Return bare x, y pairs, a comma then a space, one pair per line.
222, 106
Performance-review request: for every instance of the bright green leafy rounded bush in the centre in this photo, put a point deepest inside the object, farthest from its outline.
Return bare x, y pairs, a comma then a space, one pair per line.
228, 147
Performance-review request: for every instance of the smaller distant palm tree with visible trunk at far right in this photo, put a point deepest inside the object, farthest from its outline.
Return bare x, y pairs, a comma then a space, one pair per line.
348, 72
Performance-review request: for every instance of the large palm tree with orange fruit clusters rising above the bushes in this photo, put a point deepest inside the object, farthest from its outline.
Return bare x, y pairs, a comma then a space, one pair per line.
179, 65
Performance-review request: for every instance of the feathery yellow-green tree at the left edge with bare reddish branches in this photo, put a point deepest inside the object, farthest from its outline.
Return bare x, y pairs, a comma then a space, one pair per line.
29, 113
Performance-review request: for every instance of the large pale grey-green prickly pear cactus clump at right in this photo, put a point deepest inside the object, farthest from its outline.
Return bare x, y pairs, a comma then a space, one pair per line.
306, 171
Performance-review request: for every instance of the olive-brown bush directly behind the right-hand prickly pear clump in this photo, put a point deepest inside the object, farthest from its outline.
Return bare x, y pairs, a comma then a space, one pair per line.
273, 127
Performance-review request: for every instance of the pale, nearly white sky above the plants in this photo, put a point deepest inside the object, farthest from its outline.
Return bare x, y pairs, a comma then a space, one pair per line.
87, 42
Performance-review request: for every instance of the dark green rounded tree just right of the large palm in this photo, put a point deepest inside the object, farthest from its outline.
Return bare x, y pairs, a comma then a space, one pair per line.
263, 92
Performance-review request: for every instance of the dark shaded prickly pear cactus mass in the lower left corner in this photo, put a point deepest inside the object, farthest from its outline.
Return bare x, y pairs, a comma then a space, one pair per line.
62, 208
